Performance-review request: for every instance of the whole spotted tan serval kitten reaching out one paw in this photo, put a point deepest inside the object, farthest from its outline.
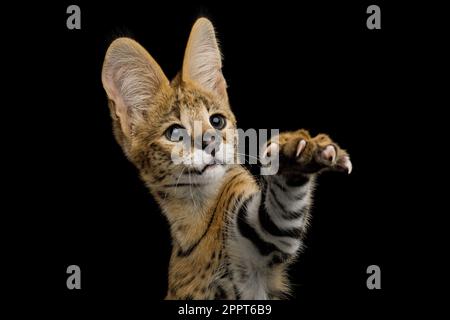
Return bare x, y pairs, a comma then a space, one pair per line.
234, 235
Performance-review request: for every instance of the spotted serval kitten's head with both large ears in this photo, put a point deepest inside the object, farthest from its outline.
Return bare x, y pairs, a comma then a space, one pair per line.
150, 113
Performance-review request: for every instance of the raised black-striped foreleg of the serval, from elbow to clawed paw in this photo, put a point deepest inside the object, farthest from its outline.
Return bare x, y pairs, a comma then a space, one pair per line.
287, 195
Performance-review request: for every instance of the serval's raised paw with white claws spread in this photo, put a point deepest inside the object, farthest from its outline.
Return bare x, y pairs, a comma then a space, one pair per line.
299, 153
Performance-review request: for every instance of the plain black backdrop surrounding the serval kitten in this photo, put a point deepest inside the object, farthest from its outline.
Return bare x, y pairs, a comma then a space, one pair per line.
313, 65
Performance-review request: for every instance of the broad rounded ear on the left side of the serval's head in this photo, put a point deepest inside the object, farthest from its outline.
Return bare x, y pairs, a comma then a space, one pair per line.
132, 79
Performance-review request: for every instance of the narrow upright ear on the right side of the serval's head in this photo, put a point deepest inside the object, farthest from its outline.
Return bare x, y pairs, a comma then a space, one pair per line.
202, 62
